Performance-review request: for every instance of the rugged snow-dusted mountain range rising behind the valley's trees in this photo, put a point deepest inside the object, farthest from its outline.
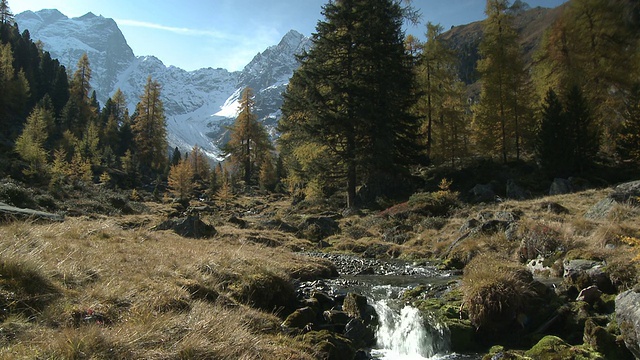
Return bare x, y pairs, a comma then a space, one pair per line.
198, 104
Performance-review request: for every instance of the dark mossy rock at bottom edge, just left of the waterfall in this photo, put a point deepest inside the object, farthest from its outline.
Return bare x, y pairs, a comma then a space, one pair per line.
328, 345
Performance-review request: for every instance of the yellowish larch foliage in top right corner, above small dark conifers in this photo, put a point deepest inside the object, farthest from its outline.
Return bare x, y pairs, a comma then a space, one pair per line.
593, 45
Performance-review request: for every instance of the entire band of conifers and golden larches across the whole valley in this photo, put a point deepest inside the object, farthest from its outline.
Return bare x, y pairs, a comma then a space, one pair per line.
367, 105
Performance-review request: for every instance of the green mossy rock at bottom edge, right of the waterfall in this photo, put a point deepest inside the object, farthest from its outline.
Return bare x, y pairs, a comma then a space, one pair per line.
554, 348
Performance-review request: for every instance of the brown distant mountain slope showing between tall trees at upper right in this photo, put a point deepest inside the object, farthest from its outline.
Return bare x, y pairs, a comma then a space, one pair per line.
530, 24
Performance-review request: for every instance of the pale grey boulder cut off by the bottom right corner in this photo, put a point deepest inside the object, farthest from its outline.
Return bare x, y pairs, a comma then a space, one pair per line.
628, 318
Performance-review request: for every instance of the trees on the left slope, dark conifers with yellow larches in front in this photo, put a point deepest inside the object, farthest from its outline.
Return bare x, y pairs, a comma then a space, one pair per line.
54, 130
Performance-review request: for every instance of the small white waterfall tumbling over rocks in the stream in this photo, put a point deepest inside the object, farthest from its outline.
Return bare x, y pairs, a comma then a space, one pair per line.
404, 334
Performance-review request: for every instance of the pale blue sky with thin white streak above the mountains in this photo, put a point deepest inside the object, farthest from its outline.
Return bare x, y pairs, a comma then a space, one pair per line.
193, 34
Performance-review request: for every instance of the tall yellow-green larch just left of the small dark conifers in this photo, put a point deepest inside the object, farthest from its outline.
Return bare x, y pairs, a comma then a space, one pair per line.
505, 95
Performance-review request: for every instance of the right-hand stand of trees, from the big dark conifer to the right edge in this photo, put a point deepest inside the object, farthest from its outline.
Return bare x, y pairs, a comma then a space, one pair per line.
368, 103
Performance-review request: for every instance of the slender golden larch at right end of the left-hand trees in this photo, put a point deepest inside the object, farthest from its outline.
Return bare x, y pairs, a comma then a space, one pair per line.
149, 129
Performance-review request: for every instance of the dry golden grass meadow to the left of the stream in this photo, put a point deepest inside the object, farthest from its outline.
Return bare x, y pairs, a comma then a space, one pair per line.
112, 293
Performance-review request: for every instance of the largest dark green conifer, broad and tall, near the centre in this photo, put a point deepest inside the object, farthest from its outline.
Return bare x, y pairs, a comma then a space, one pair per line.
347, 115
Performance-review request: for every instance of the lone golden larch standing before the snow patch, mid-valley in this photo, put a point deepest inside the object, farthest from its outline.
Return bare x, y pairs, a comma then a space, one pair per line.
249, 142
